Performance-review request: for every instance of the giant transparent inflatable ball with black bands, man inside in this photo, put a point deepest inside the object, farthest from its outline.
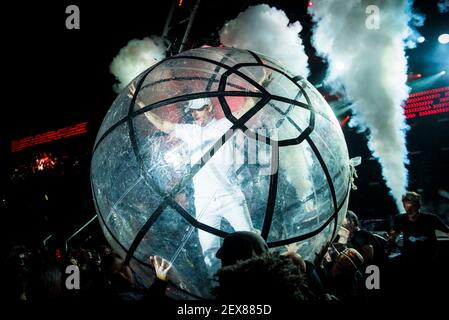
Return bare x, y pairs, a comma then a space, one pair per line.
211, 141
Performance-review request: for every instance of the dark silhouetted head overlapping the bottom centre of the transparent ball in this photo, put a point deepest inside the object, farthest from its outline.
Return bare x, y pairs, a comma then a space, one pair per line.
241, 245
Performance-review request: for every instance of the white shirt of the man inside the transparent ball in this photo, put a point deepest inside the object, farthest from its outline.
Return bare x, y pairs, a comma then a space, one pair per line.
217, 177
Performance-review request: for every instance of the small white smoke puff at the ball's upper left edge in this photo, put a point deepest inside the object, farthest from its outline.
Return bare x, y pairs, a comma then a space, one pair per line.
134, 58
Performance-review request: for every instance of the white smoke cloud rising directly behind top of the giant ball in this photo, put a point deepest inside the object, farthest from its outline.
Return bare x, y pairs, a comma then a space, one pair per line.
268, 31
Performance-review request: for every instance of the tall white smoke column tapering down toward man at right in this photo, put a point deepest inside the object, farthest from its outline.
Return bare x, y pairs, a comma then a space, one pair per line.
367, 61
